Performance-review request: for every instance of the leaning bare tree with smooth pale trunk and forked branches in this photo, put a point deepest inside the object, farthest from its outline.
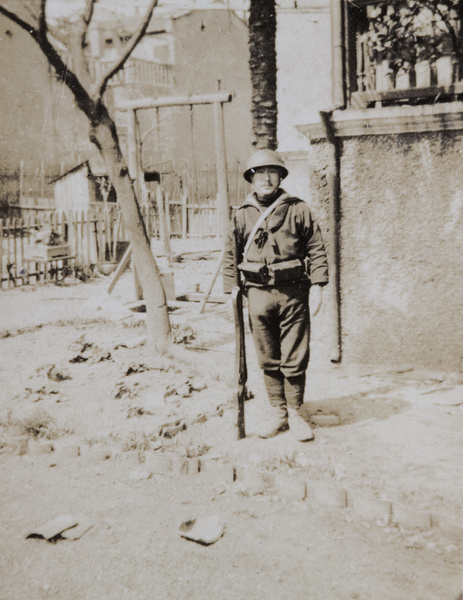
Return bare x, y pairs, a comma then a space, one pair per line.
88, 94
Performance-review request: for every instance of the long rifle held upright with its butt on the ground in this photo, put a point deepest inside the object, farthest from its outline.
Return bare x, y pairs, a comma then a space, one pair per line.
241, 372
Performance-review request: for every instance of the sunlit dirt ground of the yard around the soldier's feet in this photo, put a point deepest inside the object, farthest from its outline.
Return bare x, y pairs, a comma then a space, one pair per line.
85, 414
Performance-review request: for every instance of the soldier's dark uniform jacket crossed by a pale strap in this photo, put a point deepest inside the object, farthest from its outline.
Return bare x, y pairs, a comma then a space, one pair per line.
289, 232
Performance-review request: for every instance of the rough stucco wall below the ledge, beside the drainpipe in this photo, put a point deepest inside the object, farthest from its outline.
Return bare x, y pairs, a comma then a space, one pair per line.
401, 247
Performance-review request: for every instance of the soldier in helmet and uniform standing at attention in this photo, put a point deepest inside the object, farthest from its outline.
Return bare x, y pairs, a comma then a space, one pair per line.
281, 259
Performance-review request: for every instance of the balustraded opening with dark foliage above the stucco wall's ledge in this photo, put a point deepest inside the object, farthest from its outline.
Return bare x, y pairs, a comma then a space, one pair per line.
403, 52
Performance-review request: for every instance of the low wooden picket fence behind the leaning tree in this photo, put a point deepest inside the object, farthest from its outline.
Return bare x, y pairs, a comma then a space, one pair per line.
94, 237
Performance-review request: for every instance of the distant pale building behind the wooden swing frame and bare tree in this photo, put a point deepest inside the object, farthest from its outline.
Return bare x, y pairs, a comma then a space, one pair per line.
182, 53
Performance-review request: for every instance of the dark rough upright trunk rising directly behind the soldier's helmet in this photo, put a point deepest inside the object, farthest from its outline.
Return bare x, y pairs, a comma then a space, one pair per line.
262, 63
